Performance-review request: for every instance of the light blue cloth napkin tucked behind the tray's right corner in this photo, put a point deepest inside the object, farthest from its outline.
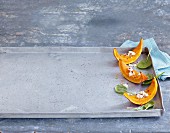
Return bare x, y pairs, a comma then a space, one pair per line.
160, 60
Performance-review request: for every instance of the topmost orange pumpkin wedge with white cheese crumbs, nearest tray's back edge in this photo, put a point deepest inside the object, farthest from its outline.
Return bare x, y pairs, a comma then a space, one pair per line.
131, 56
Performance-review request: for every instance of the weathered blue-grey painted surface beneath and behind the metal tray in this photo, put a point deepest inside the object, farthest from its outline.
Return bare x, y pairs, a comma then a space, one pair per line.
86, 23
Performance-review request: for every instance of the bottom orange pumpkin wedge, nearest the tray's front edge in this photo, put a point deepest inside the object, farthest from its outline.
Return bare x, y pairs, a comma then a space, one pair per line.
151, 90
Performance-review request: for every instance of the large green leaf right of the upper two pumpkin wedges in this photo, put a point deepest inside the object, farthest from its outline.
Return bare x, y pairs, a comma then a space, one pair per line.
145, 63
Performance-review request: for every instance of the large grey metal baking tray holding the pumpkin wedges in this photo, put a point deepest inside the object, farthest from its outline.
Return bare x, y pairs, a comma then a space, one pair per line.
66, 82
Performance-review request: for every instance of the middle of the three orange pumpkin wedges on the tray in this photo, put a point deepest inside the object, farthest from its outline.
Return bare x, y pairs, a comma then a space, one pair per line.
137, 78
